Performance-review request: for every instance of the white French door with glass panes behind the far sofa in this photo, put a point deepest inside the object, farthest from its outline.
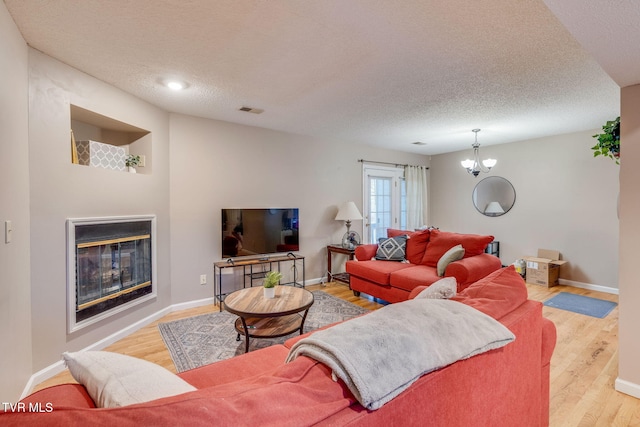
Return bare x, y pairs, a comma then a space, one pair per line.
384, 201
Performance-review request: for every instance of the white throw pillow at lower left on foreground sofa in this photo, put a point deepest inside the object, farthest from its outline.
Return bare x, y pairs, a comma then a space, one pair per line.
114, 380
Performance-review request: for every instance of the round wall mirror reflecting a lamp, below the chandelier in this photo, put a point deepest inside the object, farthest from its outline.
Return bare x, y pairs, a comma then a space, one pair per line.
494, 196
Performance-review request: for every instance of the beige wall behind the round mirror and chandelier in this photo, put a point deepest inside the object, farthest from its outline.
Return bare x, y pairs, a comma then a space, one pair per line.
565, 200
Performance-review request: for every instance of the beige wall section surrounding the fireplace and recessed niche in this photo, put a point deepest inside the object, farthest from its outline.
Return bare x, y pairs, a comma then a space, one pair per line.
61, 190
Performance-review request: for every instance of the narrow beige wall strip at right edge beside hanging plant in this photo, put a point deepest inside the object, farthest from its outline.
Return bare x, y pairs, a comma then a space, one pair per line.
629, 369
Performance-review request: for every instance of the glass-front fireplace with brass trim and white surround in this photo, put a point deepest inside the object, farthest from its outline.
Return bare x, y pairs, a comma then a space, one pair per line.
110, 266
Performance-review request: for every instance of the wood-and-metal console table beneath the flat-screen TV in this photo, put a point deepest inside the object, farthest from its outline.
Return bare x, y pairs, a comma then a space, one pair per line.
253, 269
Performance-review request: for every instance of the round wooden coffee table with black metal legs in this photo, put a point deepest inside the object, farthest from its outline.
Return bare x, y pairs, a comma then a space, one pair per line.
259, 317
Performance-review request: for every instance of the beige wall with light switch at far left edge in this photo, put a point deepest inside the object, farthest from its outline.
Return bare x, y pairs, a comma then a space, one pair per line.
15, 307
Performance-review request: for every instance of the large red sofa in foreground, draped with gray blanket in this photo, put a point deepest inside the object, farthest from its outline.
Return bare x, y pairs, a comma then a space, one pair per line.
502, 387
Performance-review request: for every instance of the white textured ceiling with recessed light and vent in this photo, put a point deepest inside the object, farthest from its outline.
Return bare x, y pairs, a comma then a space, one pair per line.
360, 71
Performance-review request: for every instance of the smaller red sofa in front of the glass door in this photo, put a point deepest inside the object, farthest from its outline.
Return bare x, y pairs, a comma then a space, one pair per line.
393, 281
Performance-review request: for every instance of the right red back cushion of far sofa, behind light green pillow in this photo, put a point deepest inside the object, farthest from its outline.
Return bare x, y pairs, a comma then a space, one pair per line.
441, 241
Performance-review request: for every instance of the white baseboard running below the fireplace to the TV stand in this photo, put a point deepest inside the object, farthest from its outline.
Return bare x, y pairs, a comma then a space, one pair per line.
56, 368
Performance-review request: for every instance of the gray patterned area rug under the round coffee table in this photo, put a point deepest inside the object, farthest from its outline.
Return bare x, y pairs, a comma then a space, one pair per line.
208, 338
